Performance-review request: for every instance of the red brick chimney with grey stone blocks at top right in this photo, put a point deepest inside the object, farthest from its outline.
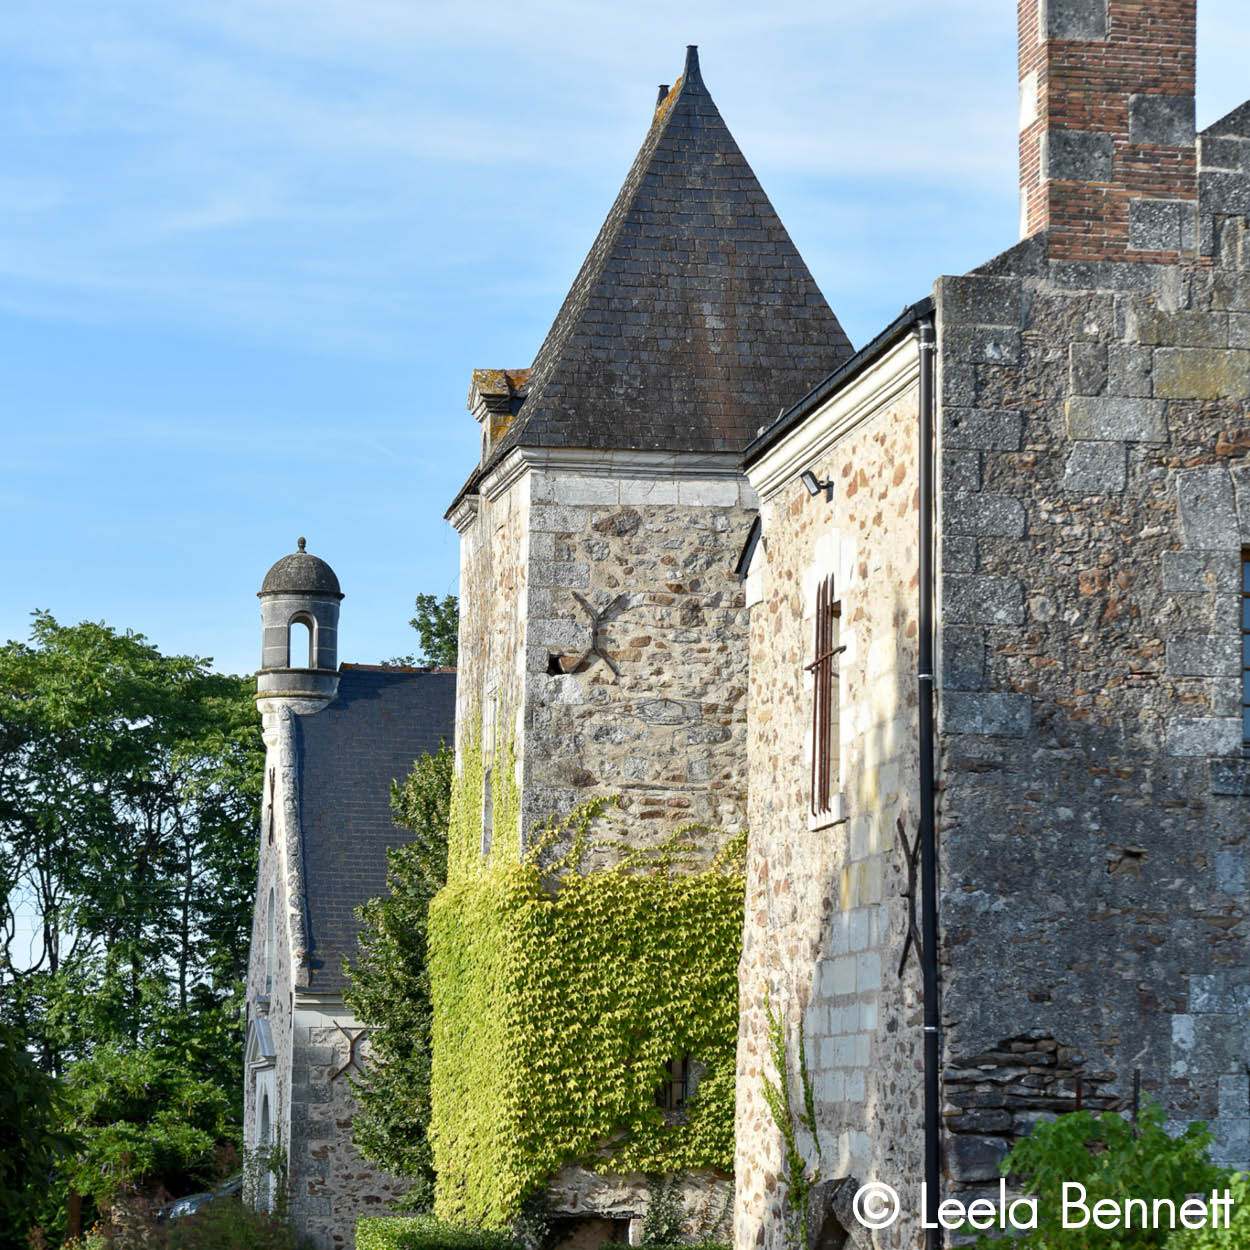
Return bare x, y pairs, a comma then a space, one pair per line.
1108, 161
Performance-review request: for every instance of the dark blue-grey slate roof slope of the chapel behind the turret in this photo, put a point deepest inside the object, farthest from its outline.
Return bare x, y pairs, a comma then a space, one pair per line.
349, 753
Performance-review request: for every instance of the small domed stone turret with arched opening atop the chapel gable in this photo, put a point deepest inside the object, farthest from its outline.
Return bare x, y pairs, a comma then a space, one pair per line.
299, 613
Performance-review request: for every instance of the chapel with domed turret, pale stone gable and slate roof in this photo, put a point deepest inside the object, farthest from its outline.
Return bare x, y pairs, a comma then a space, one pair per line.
334, 742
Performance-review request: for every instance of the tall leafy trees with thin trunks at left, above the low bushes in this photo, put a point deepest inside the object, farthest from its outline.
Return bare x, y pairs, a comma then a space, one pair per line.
129, 788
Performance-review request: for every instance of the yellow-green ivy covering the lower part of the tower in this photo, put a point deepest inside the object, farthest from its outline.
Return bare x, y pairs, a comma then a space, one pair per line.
562, 992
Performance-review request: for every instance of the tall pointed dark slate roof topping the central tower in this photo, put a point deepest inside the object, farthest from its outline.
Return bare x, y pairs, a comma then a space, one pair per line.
694, 317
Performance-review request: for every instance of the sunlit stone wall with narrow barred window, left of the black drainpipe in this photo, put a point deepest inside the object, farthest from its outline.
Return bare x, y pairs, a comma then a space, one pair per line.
826, 923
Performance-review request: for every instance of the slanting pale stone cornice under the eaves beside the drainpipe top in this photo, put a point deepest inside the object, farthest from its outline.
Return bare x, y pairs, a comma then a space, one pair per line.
866, 394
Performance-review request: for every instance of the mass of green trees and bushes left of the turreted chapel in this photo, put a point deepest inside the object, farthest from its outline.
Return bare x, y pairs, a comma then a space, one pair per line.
129, 792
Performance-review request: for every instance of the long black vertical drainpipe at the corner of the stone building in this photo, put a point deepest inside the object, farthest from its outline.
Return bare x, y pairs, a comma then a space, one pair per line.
928, 839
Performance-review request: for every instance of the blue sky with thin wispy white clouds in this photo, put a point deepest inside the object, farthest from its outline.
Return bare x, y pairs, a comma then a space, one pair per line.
252, 251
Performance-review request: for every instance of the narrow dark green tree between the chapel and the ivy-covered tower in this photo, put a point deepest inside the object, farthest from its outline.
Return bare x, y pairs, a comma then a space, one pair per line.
389, 988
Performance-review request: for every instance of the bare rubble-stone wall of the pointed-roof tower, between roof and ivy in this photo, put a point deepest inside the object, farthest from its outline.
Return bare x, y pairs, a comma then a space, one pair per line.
649, 704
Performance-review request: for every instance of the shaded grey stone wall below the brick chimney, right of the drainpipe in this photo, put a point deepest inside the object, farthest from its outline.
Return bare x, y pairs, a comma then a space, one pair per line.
1093, 814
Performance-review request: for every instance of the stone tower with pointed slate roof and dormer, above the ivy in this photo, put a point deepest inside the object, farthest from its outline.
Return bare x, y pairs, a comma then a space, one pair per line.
603, 637
